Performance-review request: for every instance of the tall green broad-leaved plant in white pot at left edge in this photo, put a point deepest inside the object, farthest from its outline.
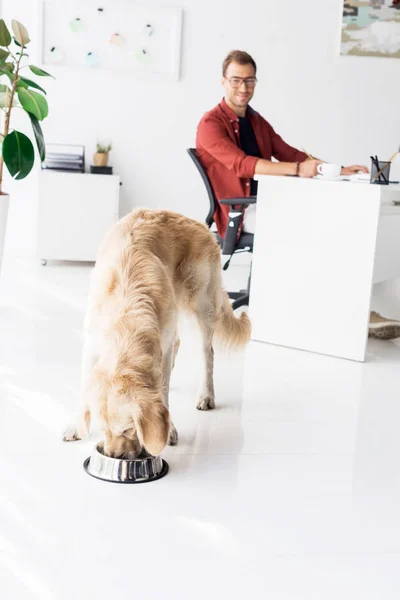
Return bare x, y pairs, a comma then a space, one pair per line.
18, 91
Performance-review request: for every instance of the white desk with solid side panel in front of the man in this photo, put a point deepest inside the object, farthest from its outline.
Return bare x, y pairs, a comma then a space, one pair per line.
319, 247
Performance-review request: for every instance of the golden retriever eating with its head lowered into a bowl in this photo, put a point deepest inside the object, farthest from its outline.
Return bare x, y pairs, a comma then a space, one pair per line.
151, 265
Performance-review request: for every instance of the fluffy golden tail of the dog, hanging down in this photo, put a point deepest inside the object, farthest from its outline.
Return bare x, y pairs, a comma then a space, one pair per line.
231, 331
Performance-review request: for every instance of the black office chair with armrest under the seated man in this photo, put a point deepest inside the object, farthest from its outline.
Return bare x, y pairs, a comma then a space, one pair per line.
230, 245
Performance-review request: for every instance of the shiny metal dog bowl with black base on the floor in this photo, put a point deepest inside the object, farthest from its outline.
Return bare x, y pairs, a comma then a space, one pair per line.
121, 470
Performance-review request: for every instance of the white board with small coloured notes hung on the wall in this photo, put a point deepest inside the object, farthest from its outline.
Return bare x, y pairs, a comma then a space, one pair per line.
142, 38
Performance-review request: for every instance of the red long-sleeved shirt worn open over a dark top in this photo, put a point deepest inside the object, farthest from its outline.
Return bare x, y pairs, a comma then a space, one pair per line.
228, 168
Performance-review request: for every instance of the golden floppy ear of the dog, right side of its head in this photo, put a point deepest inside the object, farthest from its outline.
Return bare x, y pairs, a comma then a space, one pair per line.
152, 424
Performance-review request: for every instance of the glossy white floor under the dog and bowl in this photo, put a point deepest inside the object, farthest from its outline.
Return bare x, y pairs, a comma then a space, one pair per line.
290, 490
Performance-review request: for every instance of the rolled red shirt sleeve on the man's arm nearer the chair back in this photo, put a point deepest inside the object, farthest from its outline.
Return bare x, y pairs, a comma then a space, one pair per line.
213, 137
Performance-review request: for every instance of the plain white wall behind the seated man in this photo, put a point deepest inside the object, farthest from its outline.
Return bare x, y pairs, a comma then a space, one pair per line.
339, 108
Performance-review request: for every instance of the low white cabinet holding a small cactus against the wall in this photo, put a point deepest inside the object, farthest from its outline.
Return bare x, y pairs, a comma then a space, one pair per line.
75, 210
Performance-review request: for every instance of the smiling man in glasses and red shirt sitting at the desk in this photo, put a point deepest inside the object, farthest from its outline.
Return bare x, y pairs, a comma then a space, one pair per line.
234, 143
